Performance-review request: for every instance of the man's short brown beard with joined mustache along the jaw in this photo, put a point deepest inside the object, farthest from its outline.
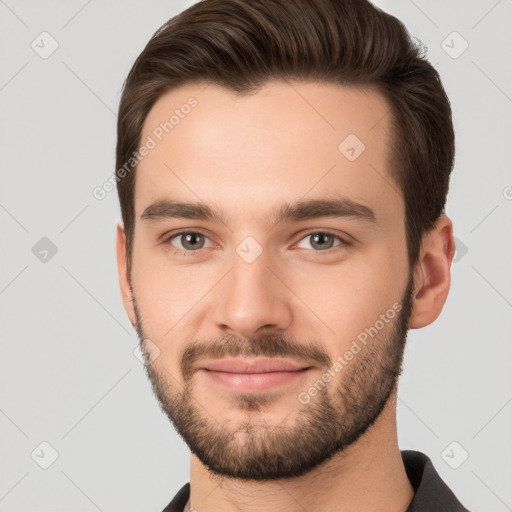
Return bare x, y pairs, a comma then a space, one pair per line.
335, 418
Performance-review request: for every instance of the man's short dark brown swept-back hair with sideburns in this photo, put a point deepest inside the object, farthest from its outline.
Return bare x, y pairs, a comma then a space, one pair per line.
242, 44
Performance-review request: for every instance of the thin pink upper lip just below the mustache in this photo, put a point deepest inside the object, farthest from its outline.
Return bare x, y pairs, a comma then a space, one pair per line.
252, 366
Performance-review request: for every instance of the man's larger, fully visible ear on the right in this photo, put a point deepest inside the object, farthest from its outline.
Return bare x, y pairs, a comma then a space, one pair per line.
432, 273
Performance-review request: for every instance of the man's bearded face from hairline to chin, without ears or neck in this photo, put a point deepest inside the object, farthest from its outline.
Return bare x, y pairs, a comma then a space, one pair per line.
268, 226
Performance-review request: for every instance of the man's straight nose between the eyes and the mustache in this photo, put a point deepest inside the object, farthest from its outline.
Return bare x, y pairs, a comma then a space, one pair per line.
251, 299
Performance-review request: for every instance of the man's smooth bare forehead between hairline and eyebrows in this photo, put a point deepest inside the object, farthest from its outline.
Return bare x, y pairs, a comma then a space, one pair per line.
286, 141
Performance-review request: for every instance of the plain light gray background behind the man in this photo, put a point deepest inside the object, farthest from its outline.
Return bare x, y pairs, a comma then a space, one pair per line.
69, 376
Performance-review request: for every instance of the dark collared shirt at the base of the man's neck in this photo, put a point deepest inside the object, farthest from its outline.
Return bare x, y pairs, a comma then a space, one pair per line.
431, 494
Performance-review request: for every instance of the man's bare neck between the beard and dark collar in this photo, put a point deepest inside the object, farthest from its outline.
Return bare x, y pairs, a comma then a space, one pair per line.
367, 476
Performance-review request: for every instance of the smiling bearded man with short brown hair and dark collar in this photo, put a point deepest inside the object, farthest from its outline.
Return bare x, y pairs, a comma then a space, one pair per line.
282, 171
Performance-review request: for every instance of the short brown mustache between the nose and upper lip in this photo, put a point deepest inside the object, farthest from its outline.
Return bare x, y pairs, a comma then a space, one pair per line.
264, 345
